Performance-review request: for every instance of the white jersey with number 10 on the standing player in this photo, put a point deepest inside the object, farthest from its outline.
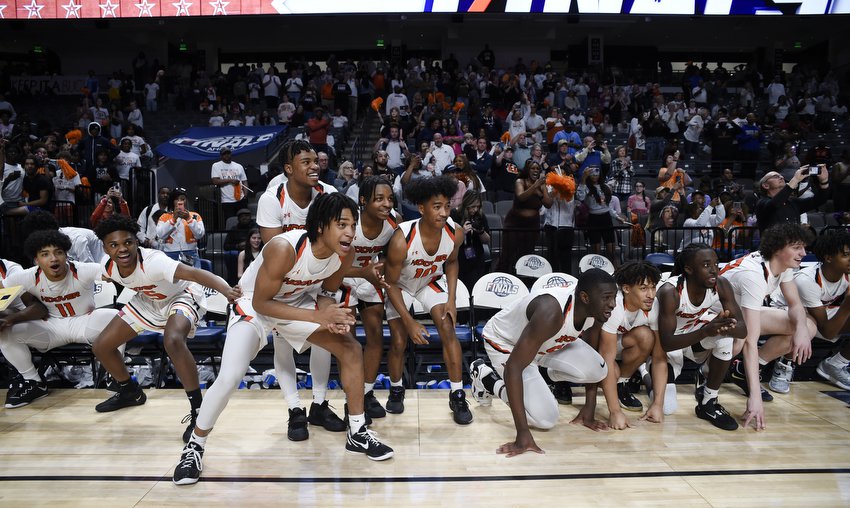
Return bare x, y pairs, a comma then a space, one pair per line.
420, 268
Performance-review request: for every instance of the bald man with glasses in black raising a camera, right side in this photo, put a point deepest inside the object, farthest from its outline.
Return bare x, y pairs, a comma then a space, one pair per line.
780, 202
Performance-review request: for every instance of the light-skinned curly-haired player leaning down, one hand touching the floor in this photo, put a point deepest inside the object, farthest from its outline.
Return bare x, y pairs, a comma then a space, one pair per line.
754, 277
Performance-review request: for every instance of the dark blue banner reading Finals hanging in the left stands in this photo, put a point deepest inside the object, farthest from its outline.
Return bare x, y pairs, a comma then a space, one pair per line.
205, 143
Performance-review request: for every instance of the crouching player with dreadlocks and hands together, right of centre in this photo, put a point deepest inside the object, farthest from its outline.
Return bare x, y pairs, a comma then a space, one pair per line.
686, 322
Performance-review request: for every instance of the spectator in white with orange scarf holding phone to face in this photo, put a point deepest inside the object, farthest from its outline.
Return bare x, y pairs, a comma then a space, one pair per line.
179, 230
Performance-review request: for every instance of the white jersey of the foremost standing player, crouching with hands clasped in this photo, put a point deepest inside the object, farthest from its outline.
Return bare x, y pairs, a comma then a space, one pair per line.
307, 274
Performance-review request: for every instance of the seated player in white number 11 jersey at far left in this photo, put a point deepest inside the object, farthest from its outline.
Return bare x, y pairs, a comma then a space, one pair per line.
66, 290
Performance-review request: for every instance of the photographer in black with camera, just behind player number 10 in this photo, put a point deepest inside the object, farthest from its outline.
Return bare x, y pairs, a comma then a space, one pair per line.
474, 254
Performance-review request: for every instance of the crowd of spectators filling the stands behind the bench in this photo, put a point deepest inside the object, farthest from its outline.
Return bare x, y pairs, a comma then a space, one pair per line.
508, 134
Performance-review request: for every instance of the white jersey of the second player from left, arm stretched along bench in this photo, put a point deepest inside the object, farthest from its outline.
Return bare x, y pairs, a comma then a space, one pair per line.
153, 277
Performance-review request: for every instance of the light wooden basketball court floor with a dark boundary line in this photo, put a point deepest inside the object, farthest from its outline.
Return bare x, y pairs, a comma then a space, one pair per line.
60, 451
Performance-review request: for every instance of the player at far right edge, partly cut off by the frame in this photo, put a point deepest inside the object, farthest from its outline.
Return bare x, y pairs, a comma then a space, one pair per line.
824, 289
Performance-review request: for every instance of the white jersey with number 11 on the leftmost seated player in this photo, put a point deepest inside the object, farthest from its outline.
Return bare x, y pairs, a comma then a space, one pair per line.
71, 296
